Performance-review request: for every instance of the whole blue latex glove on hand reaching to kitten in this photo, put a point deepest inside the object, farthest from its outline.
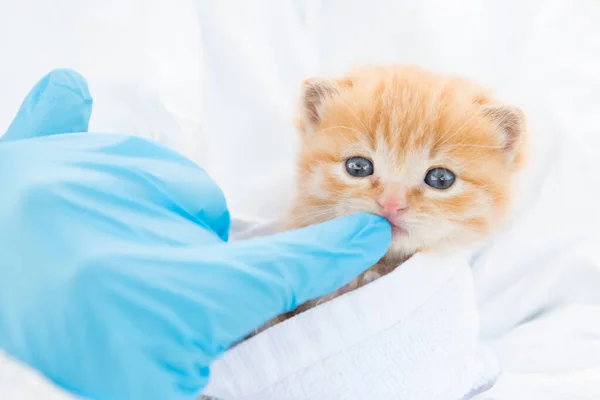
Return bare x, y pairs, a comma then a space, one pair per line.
116, 278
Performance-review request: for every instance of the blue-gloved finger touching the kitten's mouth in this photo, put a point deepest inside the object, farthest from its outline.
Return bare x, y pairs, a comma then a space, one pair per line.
310, 262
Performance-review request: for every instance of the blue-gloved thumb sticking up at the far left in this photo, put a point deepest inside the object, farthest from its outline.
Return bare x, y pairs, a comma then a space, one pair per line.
59, 103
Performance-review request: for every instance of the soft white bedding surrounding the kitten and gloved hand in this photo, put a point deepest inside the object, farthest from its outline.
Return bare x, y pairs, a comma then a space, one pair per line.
218, 81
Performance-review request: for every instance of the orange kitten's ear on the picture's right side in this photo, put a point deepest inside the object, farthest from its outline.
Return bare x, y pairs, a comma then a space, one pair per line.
510, 121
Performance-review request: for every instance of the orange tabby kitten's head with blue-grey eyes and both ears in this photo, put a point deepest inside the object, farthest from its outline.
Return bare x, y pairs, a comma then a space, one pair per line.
434, 155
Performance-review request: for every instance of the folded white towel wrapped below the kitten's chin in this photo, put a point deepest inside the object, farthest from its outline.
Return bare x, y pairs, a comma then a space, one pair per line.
412, 335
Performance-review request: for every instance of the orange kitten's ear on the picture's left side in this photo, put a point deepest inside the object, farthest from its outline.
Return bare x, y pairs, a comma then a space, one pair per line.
315, 91
